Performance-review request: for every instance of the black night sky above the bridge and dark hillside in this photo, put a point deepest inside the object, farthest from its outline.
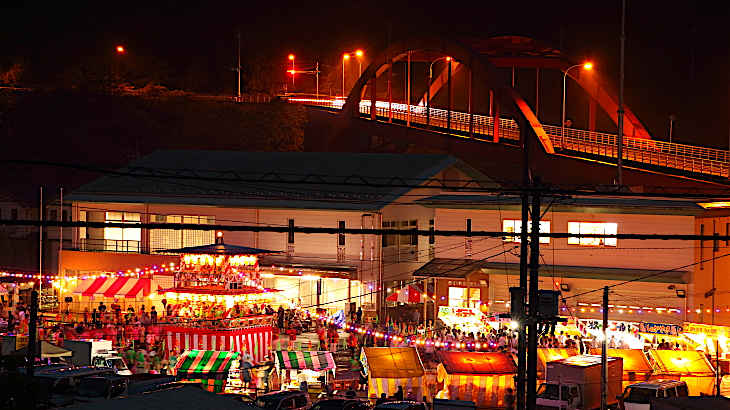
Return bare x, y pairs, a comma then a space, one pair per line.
677, 56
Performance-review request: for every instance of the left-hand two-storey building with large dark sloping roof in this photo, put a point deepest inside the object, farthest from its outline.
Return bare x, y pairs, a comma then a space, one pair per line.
336, 190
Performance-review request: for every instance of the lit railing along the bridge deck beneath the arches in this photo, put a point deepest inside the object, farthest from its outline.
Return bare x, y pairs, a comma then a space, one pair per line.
689, 158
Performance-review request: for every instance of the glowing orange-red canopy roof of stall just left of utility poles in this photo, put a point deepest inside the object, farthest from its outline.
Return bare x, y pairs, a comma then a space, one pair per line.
477, 362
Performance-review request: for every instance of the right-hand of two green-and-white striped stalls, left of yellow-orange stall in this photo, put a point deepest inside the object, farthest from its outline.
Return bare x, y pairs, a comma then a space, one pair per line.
294, 367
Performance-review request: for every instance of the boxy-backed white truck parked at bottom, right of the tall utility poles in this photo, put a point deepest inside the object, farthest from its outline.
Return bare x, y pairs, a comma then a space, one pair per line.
575, 383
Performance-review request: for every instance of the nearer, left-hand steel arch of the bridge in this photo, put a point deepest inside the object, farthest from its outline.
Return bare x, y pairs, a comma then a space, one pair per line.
479, 69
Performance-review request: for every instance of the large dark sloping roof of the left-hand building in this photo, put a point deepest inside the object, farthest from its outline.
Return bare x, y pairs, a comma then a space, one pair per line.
305, 180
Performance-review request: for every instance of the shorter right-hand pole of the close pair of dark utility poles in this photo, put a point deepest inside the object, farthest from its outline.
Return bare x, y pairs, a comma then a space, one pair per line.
533, 300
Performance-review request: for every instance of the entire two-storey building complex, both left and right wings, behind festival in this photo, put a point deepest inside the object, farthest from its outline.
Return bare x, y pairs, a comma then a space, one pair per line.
662, 281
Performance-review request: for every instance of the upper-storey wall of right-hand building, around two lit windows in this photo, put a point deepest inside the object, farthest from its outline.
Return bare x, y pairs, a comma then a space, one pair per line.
636, 254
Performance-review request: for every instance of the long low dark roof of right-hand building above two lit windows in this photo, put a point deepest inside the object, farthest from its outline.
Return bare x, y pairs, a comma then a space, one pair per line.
652, 206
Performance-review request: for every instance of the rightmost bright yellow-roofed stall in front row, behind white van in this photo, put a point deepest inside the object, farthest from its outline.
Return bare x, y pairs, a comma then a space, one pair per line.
689, 366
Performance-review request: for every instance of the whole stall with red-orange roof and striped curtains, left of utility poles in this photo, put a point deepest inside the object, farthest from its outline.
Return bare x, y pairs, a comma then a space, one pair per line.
476, 376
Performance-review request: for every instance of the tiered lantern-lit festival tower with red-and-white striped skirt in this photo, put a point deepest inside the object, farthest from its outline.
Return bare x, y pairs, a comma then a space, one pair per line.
215, 301
